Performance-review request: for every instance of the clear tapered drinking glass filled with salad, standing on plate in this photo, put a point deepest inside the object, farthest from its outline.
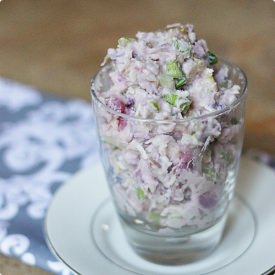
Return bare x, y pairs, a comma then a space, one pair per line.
171, 181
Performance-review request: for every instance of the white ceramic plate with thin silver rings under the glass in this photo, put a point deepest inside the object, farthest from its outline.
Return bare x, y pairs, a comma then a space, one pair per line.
82, 229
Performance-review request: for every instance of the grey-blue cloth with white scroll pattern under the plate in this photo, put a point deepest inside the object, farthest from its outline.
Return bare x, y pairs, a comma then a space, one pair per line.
44, 140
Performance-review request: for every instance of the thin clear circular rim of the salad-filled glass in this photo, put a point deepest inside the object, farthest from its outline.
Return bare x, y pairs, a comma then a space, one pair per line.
176, 120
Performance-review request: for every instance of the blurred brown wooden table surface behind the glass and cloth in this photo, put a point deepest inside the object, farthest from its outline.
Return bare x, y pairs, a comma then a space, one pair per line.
57, 45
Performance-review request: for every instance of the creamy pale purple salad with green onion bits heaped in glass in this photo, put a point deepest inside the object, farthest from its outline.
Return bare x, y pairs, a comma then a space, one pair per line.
169, 165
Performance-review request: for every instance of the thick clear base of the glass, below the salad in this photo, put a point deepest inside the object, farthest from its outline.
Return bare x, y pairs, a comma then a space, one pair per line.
174, 250
